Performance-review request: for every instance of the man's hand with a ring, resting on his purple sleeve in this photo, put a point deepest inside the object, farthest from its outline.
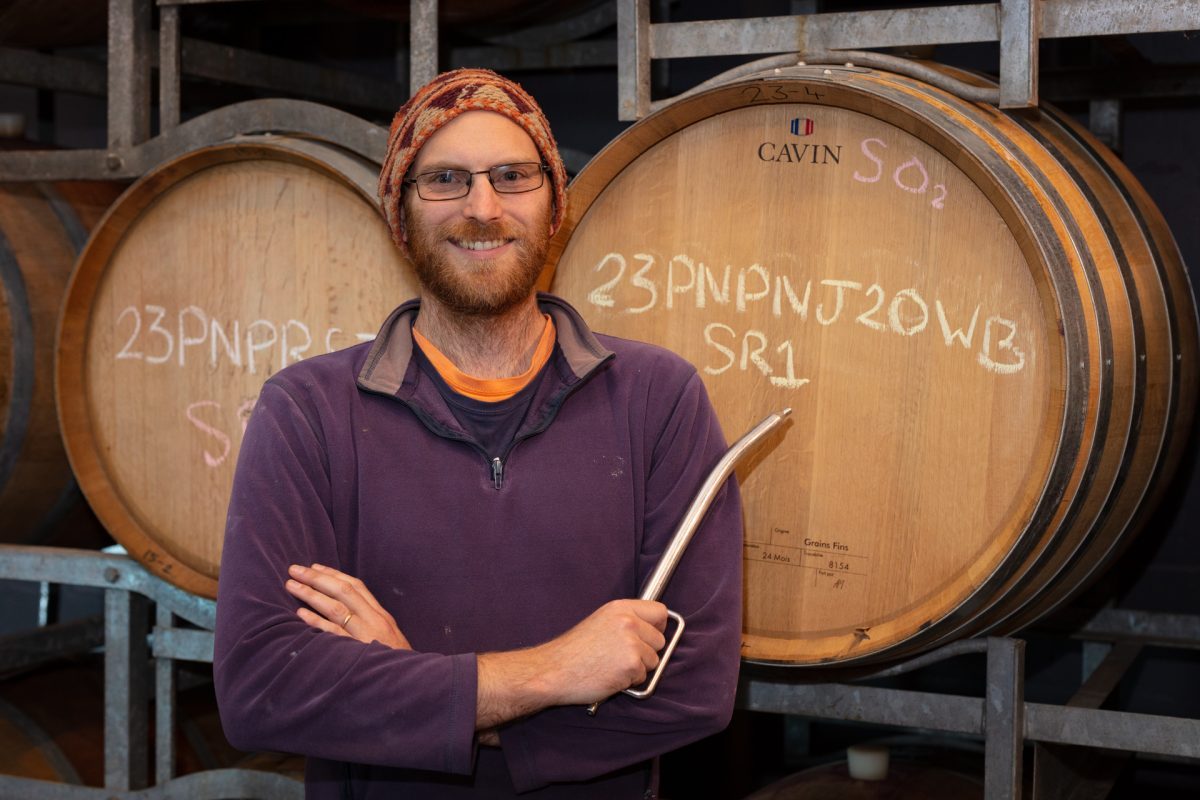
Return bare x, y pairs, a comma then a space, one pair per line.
344, 606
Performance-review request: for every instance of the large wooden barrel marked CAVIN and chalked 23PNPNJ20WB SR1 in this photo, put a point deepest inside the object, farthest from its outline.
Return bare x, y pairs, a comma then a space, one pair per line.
980, 320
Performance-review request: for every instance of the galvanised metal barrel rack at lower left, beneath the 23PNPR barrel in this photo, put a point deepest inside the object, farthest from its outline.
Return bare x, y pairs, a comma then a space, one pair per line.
137, 658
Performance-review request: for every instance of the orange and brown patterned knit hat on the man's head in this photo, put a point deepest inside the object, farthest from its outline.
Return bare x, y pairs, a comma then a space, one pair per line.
442, 100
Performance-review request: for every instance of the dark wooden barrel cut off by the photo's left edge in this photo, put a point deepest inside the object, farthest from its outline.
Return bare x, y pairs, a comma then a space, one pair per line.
43, 228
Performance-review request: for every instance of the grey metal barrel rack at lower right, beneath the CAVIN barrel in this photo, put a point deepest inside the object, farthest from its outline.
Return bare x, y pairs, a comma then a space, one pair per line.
1001, 715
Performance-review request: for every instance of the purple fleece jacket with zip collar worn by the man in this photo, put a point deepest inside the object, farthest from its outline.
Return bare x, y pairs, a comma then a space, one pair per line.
353, 460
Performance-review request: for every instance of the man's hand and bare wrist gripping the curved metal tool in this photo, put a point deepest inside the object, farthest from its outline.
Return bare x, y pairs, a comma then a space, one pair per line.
615, 648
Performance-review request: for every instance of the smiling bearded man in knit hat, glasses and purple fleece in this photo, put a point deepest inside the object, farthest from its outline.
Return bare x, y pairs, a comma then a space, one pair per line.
434, 538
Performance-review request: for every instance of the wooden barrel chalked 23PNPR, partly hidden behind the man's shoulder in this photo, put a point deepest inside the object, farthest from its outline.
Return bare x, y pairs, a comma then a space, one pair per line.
209, 275
